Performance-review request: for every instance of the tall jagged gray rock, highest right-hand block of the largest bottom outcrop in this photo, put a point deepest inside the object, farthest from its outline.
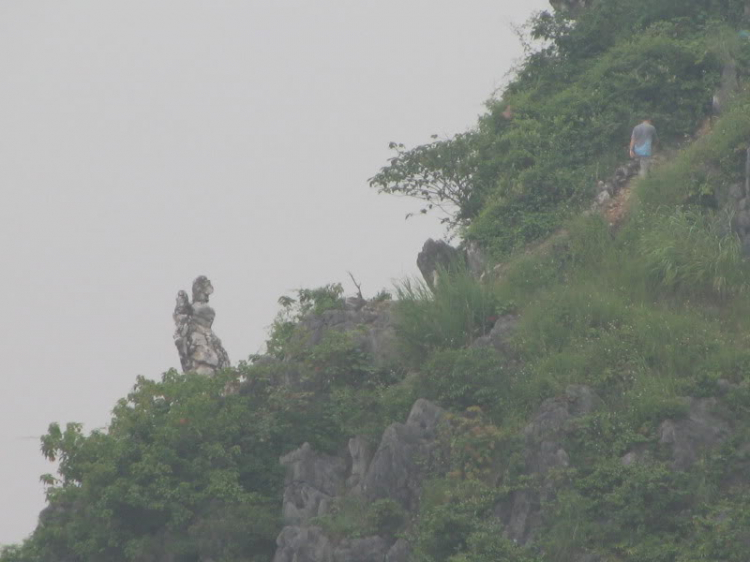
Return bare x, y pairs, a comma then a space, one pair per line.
405, 452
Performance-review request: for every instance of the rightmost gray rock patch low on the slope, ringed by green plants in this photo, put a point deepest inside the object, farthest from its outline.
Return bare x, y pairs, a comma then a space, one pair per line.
696, 433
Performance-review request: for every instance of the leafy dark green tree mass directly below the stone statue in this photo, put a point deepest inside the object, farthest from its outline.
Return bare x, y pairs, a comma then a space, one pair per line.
184, 470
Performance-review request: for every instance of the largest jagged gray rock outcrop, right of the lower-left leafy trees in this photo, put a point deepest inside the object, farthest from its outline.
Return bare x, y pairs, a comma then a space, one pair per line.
394, 471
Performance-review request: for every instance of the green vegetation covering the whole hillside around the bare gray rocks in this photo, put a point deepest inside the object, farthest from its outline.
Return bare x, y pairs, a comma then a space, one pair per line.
188, 468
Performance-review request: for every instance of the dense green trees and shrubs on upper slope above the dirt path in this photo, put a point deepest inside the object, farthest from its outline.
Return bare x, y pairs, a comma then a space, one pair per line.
564, 120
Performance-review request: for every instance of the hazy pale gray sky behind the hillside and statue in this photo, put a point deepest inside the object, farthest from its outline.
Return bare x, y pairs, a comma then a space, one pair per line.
144, 143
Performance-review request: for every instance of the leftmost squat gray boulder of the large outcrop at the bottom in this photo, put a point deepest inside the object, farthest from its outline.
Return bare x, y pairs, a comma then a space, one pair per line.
312, 481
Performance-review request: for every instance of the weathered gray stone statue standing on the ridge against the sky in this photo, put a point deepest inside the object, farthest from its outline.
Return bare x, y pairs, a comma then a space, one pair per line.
199, 348
